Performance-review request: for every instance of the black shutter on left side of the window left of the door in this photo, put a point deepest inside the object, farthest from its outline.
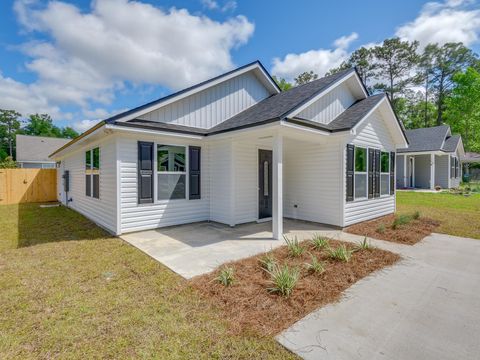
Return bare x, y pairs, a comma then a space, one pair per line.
145, 172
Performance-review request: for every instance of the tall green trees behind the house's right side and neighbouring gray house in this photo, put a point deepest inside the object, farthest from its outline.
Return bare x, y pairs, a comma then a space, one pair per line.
439, 84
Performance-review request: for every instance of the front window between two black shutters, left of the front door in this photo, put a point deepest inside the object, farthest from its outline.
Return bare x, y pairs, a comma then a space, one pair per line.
171, 172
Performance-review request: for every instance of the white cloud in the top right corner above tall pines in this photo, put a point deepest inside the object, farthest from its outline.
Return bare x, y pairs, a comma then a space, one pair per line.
451, 21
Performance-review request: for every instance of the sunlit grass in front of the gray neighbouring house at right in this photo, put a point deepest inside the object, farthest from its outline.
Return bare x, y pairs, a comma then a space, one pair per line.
459, 215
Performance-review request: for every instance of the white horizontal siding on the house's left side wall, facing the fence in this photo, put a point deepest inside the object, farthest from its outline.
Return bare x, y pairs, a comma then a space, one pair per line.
102, 211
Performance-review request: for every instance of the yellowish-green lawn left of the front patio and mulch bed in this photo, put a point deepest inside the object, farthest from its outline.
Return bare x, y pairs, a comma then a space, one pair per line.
68, 290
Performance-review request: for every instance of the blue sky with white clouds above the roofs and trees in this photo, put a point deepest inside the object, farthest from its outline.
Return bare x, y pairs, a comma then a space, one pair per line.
83, 60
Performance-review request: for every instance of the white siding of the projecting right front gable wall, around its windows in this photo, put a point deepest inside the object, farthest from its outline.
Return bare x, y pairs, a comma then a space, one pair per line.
372, 133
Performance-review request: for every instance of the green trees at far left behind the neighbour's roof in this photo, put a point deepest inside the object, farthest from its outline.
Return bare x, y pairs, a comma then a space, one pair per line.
11, 124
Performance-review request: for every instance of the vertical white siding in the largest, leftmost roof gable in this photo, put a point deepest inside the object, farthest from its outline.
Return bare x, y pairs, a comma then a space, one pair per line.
213, 105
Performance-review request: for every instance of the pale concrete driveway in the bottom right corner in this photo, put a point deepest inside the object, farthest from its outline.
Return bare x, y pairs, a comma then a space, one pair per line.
425, 307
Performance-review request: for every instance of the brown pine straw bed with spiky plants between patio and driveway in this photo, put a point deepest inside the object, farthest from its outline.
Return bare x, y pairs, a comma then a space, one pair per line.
251, 308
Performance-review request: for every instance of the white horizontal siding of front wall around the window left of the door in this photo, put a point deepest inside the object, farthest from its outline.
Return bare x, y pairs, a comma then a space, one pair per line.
134, 216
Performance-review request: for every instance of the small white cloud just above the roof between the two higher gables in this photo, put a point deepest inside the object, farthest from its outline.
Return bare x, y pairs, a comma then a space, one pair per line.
320, 61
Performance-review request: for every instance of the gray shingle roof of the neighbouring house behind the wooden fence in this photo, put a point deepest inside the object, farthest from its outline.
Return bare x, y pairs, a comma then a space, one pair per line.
37, 148
